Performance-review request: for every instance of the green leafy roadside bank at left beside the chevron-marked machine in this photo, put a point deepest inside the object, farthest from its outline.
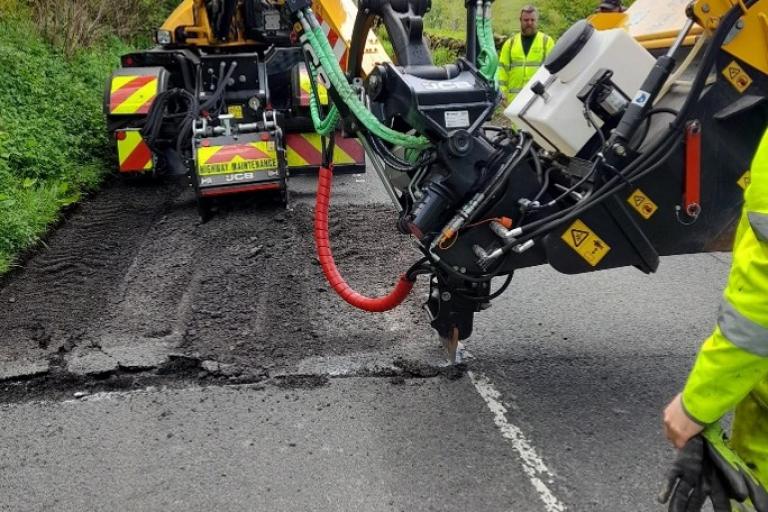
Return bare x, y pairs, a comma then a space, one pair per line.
53, 143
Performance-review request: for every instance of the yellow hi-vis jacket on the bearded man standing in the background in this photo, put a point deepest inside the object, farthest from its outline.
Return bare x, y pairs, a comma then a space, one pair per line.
515, 67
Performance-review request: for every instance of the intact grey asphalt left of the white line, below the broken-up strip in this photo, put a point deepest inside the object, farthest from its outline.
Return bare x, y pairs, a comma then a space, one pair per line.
355, 444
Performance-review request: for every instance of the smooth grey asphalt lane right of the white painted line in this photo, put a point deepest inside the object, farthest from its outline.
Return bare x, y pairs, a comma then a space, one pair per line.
587, 363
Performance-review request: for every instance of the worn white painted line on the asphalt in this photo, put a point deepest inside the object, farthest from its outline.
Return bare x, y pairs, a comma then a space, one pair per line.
533, 465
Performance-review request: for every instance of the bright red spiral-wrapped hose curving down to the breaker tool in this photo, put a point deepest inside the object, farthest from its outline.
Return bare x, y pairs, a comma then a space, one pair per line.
373, 305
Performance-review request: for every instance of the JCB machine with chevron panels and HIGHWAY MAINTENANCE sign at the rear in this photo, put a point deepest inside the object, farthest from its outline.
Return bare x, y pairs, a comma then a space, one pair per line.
224, 98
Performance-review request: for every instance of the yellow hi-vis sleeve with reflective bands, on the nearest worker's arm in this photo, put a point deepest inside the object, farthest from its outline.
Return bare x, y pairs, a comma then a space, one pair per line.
733, 361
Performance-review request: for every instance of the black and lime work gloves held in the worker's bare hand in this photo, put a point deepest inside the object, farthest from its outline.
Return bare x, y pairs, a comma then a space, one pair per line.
706, 468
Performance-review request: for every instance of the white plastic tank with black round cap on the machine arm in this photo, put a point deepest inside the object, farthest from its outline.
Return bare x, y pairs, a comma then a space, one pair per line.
555, 118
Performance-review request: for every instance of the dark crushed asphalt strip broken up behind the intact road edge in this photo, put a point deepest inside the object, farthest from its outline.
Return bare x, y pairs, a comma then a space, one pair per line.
132, 288
